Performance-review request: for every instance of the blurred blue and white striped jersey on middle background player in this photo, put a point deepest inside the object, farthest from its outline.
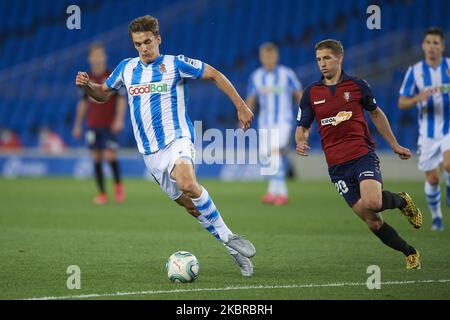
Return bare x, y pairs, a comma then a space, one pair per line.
274, 90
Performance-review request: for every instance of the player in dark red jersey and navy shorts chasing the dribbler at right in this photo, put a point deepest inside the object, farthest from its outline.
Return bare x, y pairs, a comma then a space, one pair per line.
337, 102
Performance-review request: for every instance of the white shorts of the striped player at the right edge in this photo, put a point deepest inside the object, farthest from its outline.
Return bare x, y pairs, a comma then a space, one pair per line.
431, 152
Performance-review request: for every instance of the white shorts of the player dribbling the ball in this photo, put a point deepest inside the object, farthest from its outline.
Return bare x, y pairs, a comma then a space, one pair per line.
160, 164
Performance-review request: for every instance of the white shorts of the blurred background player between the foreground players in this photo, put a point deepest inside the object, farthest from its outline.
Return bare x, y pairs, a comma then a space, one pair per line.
275, 138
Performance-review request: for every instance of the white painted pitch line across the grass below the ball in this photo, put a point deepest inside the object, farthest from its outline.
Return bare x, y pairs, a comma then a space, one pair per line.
290, 286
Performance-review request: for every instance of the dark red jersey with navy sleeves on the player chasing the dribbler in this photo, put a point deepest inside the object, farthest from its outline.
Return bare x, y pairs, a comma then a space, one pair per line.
339, 114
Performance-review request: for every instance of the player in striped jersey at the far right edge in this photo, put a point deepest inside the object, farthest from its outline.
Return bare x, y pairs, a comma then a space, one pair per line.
427, 86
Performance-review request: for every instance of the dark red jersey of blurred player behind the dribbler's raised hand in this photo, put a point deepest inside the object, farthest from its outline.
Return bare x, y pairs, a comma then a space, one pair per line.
100, 115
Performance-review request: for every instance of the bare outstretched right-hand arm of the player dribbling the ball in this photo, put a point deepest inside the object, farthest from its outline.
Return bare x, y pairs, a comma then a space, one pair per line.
245, 115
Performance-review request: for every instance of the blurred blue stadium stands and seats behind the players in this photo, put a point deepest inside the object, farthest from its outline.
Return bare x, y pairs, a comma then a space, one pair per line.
40, 58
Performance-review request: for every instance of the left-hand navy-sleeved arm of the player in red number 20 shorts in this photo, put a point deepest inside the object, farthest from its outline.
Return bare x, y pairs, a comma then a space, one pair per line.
305, 118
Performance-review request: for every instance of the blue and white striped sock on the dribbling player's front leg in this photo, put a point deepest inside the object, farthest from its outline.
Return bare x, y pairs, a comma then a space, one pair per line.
210, 214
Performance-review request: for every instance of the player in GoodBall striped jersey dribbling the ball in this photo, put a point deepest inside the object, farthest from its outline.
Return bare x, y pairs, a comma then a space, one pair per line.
157, 97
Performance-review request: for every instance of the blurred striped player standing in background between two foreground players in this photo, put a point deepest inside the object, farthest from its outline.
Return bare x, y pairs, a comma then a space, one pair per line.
273, 86
